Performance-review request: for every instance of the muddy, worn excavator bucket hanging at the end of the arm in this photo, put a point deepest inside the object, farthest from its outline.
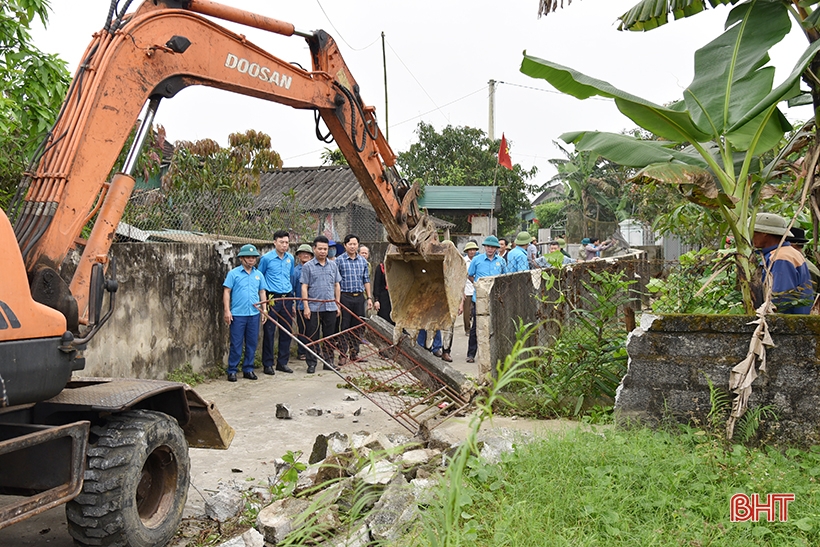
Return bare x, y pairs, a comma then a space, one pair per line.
425, 288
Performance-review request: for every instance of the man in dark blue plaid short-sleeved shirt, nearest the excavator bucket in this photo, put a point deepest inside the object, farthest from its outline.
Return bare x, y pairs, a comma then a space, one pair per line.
354, 287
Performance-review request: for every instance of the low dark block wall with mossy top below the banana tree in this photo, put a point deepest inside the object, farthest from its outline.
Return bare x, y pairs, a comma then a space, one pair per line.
670, 358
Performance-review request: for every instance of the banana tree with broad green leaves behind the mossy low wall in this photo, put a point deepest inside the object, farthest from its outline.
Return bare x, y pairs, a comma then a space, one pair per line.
727, 118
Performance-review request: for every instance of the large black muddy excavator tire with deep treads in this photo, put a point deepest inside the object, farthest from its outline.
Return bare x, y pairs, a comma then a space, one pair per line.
136, 483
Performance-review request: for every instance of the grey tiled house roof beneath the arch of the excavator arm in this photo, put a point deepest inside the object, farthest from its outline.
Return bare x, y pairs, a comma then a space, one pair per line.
325, 188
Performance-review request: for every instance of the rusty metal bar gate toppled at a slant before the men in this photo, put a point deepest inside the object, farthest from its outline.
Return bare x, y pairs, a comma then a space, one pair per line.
401, 385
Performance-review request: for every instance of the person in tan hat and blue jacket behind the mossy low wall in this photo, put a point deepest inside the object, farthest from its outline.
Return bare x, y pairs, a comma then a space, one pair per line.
791, 281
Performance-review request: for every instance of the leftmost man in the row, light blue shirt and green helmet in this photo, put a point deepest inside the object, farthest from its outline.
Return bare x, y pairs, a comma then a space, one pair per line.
244, 286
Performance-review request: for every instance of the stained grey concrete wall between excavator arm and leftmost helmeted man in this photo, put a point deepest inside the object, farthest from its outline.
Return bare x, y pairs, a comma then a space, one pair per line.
167, 313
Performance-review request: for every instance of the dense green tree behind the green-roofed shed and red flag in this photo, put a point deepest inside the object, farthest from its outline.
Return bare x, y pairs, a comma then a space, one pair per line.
465, 156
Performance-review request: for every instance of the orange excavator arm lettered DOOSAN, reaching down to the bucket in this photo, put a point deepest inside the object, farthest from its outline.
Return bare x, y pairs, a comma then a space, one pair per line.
153, 53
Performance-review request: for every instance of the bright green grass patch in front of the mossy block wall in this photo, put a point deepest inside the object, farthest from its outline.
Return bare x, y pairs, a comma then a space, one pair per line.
635, 488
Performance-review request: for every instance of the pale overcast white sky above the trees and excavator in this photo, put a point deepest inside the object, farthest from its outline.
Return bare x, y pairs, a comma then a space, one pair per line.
440, 56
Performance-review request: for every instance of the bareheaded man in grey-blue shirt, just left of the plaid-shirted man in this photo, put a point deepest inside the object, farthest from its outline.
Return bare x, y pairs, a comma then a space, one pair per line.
320, 293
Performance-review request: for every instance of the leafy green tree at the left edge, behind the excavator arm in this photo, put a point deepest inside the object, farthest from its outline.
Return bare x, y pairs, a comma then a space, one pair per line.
32, 87
